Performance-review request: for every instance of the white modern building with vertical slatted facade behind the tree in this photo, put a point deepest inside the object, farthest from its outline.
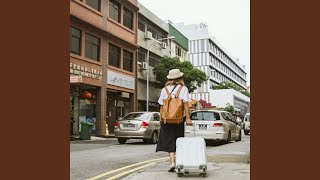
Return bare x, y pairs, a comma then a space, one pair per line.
207, 54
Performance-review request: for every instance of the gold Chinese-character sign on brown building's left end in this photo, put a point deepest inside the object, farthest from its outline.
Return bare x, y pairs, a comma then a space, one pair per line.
84, 71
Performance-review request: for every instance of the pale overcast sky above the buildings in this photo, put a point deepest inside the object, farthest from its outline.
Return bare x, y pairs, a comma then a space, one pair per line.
228, 21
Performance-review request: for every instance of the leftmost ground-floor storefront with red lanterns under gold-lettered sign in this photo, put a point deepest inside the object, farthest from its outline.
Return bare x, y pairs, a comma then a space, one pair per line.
85, 83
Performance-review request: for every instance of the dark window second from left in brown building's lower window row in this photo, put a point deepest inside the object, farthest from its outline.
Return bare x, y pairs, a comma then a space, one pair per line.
92, 47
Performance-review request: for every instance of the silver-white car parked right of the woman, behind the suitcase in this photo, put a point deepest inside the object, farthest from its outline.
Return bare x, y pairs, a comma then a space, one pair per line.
214, 125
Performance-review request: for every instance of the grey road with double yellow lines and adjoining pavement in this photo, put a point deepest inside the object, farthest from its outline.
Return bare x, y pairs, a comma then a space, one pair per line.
104, 159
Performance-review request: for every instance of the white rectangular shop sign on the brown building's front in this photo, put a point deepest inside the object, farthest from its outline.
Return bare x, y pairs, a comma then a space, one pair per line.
121, 80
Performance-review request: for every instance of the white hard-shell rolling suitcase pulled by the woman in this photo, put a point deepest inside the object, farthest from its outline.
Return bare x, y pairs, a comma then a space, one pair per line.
191, 156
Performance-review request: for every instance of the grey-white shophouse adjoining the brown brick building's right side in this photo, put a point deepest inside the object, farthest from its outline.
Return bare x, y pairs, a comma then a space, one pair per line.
154, 43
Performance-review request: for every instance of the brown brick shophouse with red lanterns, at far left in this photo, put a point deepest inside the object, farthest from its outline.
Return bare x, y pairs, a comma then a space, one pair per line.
103, 54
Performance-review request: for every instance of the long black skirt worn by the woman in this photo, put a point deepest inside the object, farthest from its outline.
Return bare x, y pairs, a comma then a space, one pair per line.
169, 133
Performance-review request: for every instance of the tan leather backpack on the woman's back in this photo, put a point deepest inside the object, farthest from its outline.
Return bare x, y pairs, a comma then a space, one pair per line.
172, 108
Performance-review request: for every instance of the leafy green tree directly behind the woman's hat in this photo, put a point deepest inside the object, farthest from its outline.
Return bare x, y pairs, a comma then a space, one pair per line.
192, 77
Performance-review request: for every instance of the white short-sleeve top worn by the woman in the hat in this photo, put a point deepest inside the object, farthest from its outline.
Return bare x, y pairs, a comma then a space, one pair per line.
184, 93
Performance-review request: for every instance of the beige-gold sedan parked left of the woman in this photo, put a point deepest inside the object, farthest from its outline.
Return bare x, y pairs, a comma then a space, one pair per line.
138, 125
